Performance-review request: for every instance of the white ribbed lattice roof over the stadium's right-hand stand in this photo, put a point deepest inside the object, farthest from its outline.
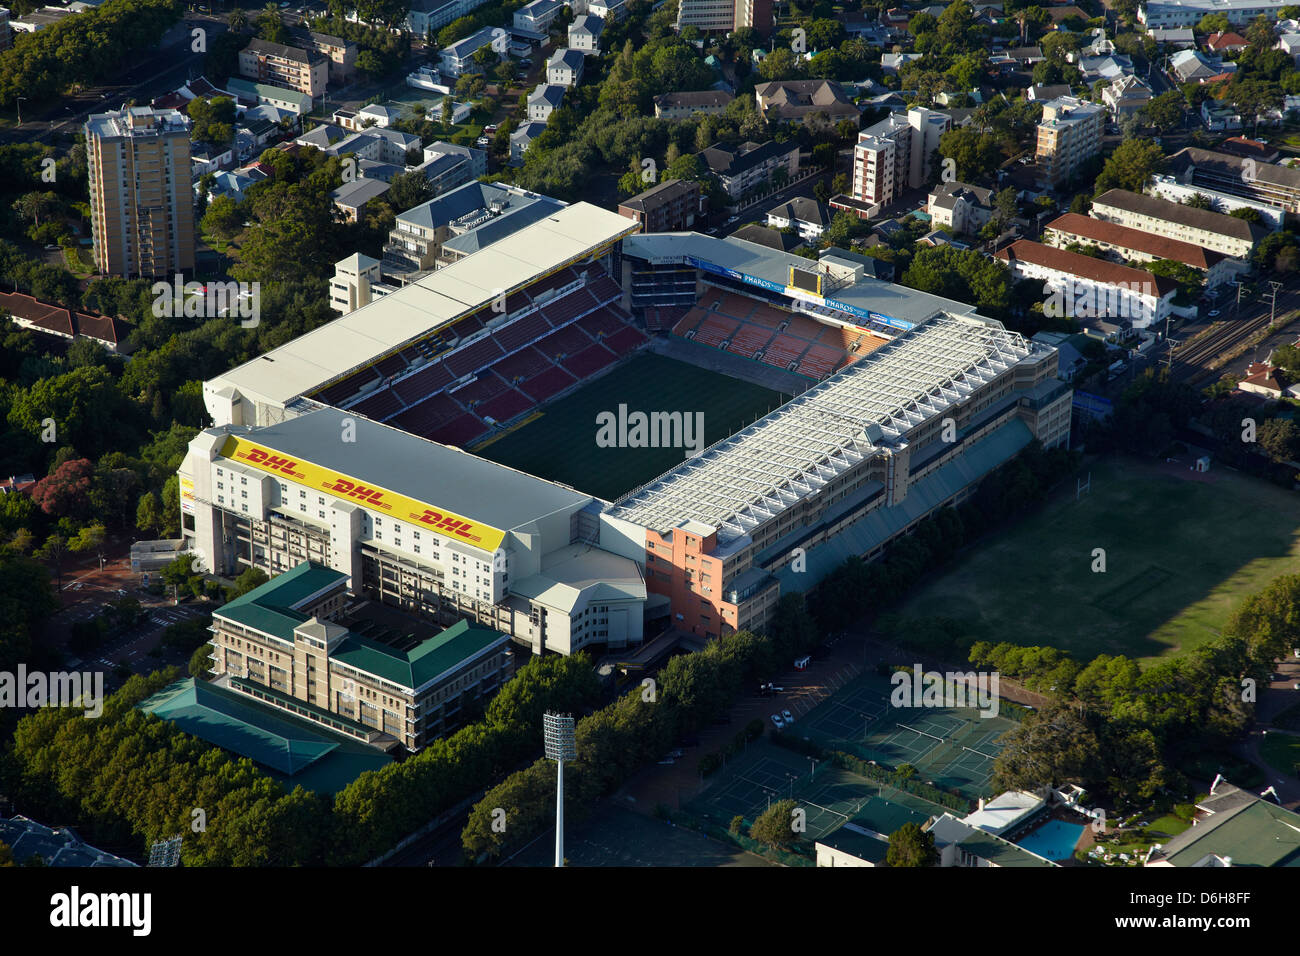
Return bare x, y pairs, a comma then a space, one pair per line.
748, 479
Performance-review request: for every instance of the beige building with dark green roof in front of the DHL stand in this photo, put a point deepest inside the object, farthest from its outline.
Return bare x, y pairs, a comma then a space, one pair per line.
284, 644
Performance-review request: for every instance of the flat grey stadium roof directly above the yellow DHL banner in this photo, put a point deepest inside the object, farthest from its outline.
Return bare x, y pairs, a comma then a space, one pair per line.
419, 469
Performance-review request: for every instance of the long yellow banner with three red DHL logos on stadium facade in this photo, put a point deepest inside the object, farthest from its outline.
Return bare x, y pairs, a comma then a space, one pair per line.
439, 521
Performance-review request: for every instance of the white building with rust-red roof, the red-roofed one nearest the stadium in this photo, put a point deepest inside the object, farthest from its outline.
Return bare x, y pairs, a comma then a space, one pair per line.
1084, 288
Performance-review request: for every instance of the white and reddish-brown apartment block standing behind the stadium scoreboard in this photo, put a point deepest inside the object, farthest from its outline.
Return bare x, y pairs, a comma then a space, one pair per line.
896, 154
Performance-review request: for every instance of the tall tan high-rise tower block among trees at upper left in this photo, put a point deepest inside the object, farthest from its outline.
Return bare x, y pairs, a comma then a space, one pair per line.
142, 206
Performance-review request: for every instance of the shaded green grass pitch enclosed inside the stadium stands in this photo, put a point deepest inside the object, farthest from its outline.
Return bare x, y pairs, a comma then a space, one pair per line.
561, 443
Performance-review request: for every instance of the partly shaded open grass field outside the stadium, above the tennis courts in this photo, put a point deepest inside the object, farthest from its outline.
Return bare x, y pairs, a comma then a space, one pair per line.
1181, 553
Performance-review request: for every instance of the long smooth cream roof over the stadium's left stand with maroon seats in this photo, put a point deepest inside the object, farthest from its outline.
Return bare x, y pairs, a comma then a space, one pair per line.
389, 323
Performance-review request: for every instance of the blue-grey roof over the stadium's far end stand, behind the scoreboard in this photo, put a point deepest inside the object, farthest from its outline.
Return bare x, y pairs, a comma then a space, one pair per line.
774, 267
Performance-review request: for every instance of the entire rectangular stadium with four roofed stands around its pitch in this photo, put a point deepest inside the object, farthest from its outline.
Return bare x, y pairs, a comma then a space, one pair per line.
839, 412
